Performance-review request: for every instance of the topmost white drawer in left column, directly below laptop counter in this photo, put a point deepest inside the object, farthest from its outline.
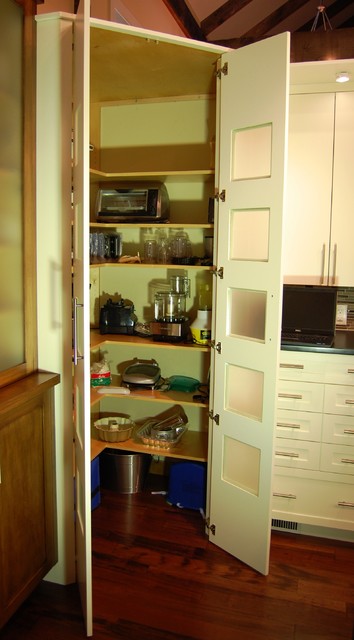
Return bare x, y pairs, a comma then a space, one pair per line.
300, 366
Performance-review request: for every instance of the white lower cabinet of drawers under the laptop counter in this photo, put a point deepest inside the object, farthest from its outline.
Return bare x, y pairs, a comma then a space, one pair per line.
314, 451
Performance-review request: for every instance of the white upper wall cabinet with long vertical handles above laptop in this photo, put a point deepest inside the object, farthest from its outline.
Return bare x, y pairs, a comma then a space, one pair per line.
318, 220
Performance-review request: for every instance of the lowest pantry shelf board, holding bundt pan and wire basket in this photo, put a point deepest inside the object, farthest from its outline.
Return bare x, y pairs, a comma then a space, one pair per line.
192, 446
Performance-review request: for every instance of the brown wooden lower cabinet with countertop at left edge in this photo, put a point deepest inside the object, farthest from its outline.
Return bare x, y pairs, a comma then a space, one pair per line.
28, 538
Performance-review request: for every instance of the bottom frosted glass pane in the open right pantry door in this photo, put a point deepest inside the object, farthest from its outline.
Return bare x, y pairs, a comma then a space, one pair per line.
241, 463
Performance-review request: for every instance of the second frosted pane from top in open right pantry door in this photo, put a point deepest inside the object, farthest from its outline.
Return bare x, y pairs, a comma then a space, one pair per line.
249, 235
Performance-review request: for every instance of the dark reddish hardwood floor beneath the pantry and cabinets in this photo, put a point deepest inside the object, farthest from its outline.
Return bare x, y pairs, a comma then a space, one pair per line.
156, 577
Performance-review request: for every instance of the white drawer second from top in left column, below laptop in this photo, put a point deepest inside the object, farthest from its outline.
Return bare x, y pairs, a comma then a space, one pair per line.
302, 396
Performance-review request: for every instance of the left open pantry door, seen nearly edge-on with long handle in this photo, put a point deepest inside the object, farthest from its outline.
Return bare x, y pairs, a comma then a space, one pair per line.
81, 307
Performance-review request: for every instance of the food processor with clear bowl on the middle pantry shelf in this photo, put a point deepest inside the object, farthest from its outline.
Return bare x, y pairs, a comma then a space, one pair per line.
171, 323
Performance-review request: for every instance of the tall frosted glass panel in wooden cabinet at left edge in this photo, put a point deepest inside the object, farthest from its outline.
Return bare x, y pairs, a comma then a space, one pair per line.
12, 330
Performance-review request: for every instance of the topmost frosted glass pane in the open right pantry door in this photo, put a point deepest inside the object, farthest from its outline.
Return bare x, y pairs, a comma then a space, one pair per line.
251, 153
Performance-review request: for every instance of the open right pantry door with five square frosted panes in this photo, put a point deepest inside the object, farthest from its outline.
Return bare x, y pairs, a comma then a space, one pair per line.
253, 106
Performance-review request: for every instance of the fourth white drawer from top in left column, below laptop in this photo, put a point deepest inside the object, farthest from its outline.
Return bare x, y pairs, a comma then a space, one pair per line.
297, 454
